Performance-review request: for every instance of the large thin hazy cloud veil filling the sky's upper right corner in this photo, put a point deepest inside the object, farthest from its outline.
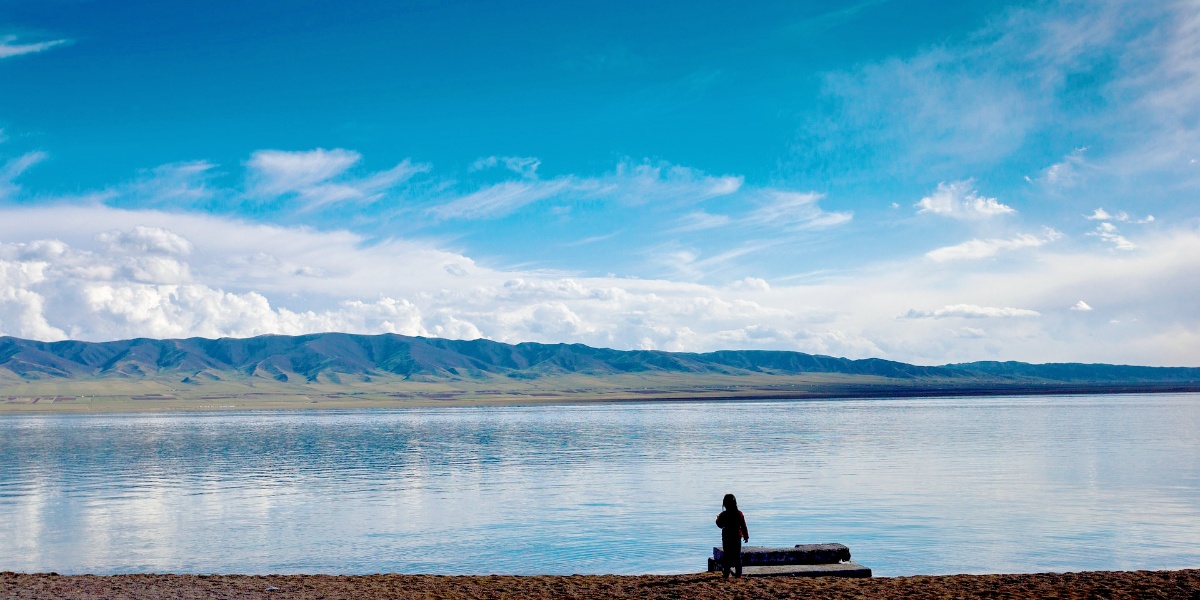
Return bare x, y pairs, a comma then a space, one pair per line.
1016, 83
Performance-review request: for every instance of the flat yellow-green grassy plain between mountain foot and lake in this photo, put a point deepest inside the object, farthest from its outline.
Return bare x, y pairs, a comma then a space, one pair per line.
105, 395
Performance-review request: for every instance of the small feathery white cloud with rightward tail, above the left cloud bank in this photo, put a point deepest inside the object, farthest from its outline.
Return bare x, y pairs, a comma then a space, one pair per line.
319, 177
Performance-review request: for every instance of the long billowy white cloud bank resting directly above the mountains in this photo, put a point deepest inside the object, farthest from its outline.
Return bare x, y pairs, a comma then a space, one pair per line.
59, 279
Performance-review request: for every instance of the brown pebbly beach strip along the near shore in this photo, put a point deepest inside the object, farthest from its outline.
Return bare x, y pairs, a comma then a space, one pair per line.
1097, 585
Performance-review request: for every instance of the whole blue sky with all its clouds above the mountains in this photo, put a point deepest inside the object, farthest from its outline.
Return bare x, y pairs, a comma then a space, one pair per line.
921, 182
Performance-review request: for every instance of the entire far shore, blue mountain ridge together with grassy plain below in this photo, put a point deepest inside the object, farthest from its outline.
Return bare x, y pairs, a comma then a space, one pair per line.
388, 370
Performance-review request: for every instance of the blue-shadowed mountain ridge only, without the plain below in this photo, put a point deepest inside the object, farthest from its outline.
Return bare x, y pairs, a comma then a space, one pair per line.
327, 358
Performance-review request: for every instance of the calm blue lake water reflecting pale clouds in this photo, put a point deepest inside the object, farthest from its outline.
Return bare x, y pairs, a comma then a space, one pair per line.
913, 487
